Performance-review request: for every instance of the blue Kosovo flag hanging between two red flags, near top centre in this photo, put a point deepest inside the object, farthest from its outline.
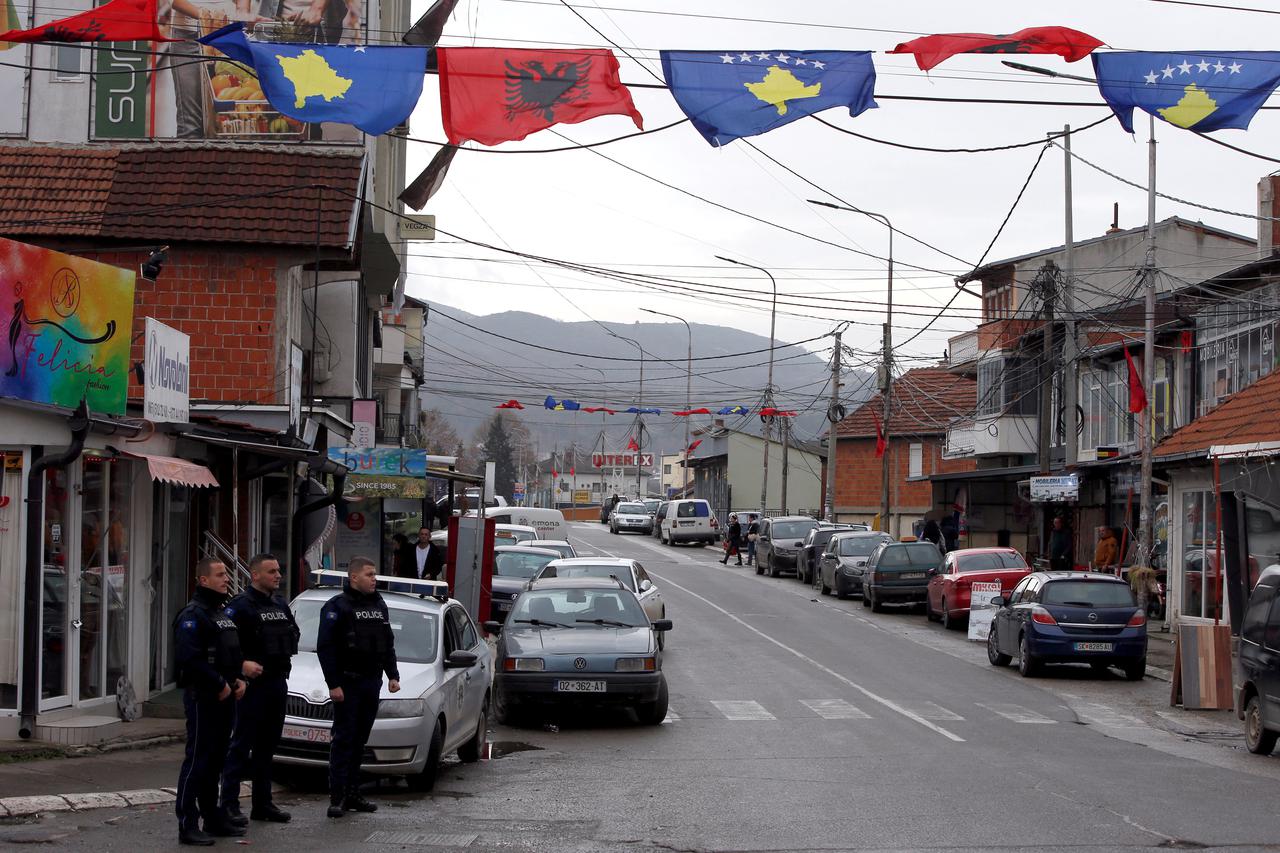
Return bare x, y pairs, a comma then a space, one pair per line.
730, 95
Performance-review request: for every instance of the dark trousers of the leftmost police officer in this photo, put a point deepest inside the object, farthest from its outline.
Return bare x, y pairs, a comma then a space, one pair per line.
209, 729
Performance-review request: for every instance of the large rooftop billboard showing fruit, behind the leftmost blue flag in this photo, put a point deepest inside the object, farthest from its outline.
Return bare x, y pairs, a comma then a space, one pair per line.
194, 93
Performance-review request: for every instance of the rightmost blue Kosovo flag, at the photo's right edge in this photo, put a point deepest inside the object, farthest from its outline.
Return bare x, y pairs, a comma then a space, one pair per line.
1200, 92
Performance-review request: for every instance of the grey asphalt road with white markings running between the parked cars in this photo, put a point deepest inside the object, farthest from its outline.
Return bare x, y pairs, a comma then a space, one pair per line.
801, 723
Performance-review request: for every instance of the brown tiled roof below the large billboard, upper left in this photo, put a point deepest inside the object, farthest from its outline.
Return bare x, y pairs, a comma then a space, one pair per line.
181, 193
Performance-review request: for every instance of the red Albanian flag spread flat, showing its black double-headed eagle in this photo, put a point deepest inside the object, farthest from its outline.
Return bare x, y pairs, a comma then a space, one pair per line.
496, 95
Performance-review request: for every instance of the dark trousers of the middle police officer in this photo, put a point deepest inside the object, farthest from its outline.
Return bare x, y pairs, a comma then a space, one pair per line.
259, 720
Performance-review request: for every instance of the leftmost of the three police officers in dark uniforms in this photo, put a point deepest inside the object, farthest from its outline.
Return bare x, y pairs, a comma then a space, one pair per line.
209, 665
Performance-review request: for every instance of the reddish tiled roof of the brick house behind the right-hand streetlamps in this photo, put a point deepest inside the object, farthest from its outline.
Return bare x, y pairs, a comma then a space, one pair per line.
924, 403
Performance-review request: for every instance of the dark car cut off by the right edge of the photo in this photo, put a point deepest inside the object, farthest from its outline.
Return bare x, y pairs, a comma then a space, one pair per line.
1258, 699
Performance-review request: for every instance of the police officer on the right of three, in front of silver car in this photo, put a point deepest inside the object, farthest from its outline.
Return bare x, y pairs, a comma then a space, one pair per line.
355, 646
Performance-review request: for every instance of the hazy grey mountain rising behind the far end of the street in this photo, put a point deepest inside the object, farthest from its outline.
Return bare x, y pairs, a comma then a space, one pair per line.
470, 371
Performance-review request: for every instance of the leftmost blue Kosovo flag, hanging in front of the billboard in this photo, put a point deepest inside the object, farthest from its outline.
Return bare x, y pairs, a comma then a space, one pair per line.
376, 89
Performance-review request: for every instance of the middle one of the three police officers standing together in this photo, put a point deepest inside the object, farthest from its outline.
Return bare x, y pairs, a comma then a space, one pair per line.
269, 640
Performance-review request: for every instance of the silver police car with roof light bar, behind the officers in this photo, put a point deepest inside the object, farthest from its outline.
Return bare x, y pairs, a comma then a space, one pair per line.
444, 704
